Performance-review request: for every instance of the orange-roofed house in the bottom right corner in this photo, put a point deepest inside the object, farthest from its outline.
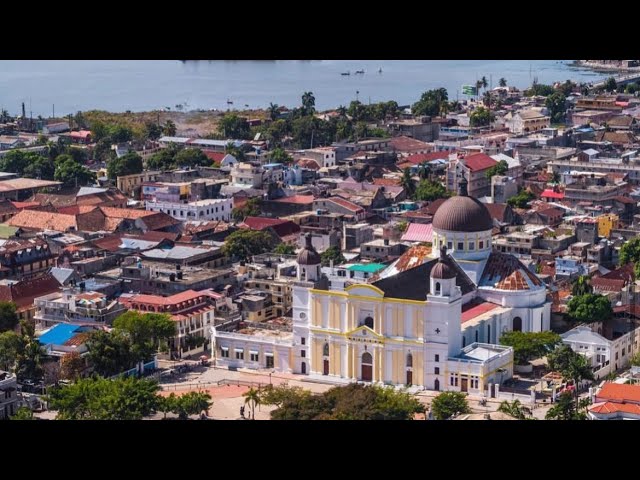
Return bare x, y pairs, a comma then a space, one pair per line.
616, 401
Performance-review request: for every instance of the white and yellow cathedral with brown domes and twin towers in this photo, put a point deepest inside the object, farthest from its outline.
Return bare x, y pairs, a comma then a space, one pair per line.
431, 319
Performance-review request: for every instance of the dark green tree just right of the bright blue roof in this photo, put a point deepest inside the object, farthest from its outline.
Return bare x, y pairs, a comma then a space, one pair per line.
110, 352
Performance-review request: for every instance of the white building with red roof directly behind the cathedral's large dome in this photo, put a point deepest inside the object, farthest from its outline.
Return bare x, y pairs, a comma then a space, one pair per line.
473, 169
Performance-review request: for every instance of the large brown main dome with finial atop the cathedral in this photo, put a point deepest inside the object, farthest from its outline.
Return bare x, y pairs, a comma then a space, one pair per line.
462, 214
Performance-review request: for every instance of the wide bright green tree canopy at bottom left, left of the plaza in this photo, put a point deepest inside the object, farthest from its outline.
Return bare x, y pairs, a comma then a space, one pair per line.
101, 399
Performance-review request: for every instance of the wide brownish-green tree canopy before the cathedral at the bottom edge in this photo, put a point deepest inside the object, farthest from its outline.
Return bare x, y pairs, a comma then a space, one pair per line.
350, 402
